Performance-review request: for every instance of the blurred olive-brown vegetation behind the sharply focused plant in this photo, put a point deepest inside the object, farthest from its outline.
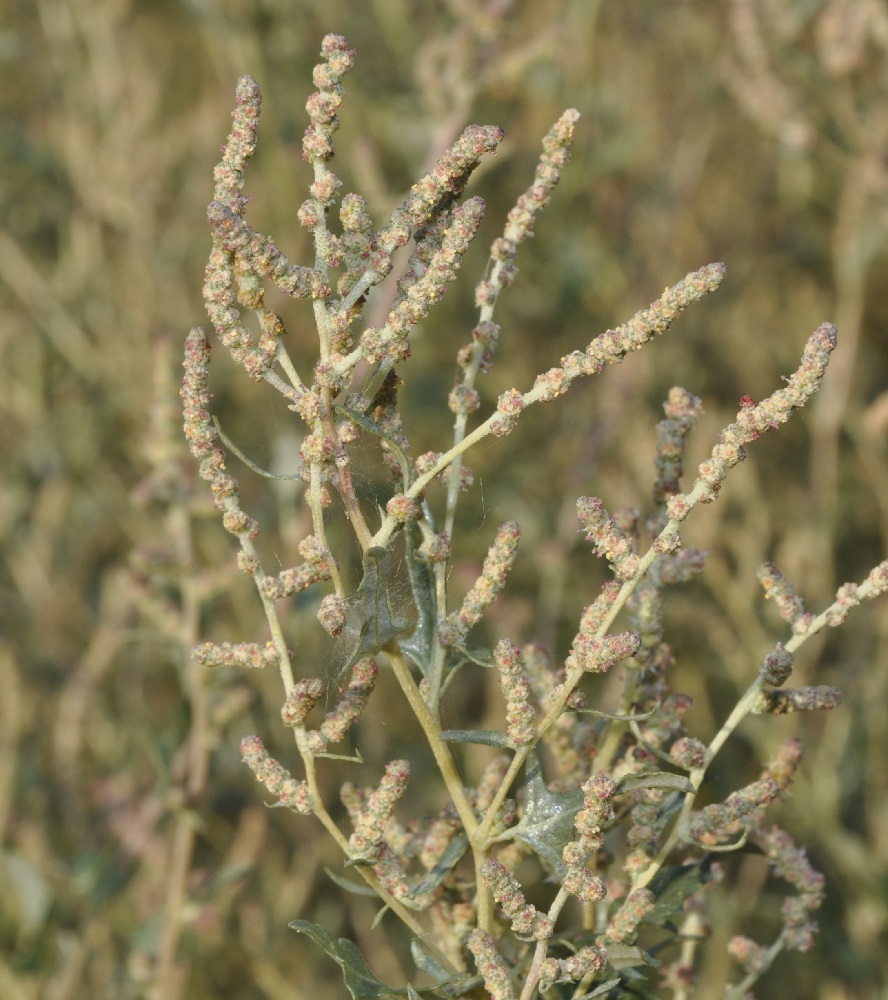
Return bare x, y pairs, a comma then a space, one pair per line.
138, 859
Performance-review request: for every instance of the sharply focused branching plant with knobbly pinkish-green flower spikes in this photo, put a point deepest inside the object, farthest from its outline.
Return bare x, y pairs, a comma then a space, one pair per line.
601, 803
